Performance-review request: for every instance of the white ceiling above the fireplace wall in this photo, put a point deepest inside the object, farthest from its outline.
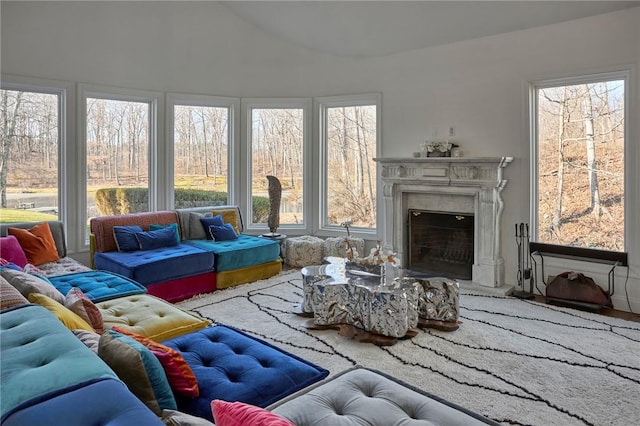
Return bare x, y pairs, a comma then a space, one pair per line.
376, 28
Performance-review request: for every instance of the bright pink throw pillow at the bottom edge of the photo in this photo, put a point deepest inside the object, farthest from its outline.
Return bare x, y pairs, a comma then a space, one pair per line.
241, 414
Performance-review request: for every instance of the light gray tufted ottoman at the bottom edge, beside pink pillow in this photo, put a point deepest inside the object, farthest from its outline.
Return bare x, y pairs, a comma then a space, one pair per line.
362, 396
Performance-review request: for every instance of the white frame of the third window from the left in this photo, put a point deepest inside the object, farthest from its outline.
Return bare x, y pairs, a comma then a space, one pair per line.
233, 107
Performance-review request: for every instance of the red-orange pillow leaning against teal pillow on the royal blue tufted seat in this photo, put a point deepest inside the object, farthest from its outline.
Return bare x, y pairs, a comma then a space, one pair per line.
180, 376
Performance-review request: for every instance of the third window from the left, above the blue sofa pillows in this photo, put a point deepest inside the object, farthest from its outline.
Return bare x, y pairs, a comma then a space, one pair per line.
203, 131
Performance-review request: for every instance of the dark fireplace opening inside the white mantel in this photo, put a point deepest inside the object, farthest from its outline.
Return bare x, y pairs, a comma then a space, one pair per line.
441, 244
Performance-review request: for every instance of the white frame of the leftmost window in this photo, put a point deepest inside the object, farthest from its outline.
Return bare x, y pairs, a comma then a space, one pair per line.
66, 136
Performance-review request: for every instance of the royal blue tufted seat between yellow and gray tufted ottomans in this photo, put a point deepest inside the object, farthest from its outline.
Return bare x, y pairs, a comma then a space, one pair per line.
233, 366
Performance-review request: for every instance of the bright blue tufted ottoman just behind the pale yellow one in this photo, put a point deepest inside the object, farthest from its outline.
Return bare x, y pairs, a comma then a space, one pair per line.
98, 285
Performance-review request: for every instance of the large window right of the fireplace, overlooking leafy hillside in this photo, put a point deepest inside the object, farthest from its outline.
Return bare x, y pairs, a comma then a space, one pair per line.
579, 161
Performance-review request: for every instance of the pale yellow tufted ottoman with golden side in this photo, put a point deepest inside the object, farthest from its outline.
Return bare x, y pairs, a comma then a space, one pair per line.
149, 316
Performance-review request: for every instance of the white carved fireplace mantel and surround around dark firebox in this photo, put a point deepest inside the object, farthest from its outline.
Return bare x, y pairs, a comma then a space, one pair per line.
469, 185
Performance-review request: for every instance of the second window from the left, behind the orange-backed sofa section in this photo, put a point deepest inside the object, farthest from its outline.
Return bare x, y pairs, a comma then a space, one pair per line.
121, 156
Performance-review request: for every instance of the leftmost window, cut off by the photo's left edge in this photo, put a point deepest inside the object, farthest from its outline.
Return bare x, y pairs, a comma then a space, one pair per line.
30, 136
